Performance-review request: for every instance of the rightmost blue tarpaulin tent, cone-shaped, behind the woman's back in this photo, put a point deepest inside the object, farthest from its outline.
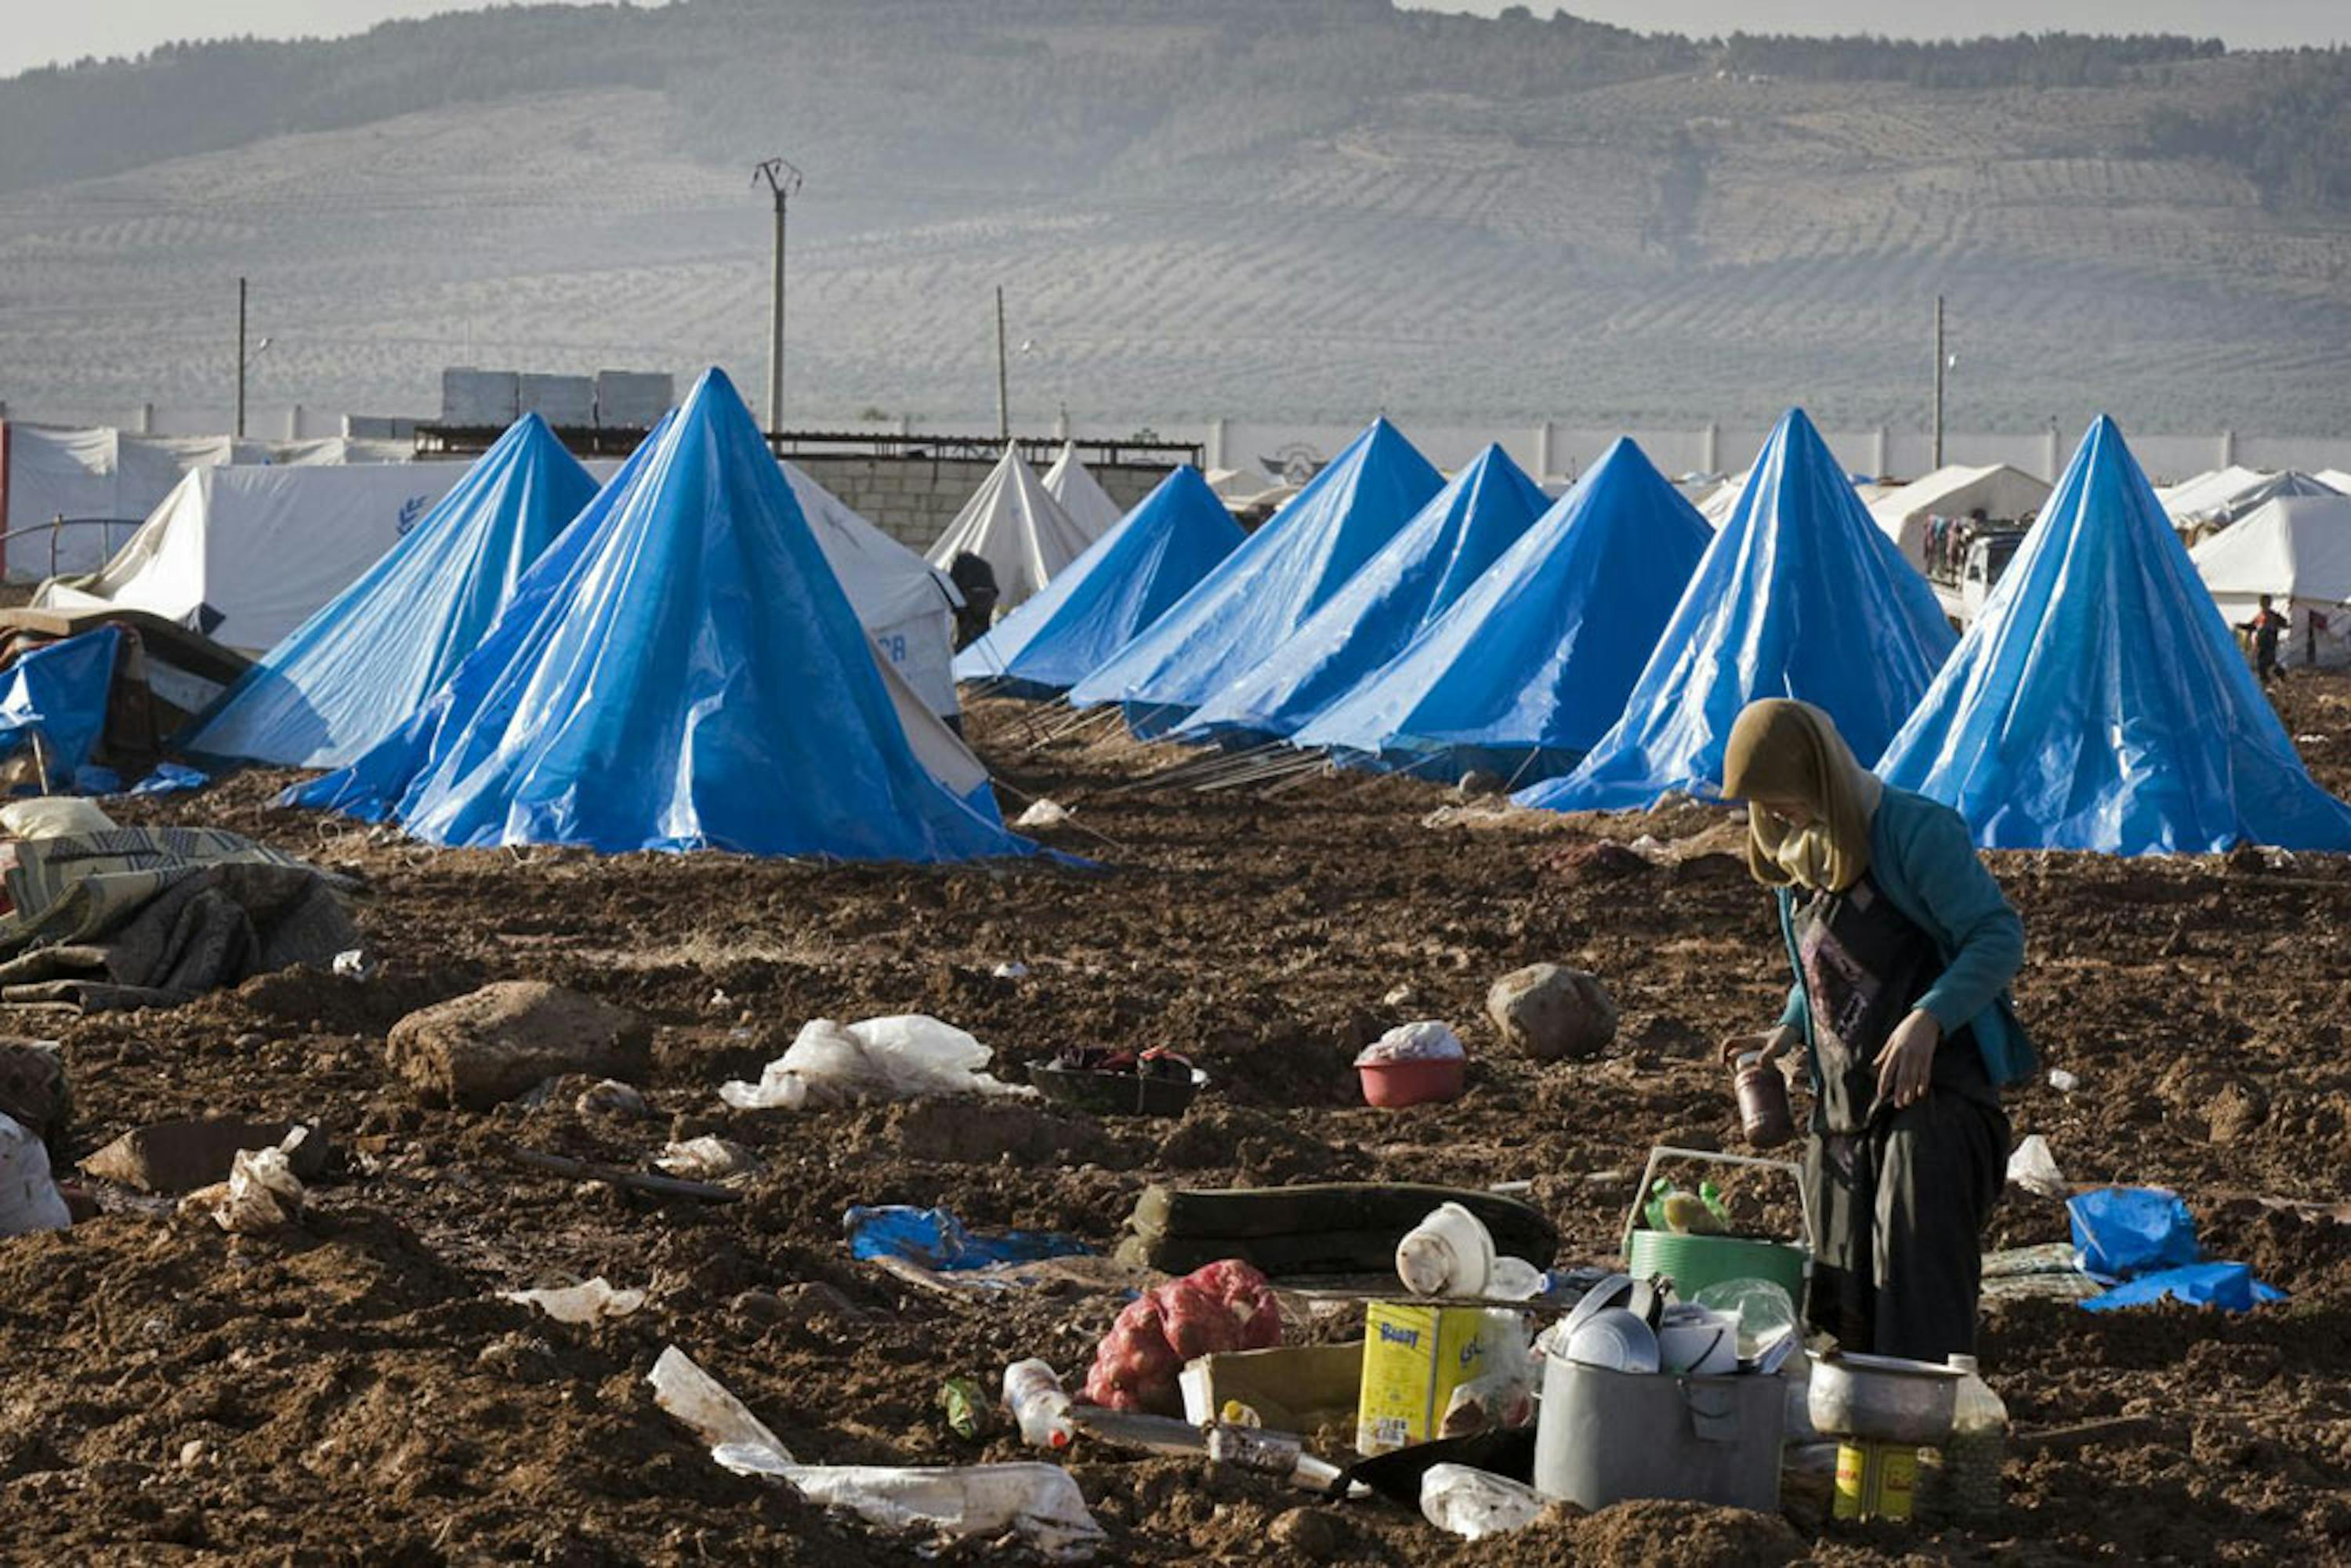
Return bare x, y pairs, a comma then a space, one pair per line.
2101, 699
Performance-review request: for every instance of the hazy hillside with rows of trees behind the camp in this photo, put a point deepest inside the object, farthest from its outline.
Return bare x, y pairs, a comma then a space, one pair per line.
1294, 210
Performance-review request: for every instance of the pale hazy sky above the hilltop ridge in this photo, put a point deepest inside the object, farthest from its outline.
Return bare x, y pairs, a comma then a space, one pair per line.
41, 32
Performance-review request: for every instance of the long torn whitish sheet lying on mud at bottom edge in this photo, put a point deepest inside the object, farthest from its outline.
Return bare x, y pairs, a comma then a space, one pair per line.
1040, 1503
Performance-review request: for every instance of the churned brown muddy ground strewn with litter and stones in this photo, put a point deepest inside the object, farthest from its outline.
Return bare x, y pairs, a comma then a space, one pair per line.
356, 1393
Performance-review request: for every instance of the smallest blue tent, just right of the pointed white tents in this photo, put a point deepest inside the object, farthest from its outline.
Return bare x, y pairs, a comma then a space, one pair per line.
1125, 582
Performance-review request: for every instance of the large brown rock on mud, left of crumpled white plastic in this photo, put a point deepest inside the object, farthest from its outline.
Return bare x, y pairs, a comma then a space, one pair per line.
507, 1038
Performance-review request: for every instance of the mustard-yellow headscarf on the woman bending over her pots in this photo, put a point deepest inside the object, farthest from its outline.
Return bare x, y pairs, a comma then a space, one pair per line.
1793, 751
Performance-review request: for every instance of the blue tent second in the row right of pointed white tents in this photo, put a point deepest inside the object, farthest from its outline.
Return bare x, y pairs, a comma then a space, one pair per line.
1266, 589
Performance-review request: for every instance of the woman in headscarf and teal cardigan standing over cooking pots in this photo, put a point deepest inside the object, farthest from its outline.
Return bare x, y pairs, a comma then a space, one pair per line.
1903, 951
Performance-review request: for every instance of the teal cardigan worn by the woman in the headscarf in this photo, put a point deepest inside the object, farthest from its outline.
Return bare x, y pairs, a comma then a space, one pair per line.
1927, 866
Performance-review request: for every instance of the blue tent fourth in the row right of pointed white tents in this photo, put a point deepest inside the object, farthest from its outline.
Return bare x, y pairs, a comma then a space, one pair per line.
1534, 662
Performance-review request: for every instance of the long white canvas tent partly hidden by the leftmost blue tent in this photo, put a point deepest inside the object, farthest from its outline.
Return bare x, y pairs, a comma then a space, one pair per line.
248, 554
